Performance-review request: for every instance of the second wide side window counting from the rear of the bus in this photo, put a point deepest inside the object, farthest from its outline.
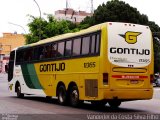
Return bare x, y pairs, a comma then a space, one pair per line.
76, 46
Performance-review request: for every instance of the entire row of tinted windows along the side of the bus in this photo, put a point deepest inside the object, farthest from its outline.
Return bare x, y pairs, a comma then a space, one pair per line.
88, 44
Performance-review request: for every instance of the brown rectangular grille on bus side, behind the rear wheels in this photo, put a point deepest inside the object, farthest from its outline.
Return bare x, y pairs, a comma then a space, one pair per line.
91, 87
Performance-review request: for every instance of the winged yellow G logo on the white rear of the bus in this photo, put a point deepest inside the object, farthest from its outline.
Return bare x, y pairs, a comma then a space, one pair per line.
130, 37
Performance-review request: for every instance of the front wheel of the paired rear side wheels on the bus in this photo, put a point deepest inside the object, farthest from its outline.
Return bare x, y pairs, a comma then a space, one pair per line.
62, 95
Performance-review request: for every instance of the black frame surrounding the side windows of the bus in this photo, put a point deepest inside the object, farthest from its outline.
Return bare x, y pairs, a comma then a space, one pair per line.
90, 54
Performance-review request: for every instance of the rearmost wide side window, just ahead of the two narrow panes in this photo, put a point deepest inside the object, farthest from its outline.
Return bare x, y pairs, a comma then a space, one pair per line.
85, 45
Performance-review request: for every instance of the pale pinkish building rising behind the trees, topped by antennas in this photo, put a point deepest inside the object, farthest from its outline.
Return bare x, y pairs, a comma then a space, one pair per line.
71, 15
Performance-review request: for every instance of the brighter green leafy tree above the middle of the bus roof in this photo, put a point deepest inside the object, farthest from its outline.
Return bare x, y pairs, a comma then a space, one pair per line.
41, 29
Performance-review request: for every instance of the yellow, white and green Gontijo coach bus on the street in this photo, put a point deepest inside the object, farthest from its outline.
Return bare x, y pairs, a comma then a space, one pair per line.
107, 63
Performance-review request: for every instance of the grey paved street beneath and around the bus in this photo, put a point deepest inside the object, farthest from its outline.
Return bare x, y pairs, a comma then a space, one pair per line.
34, 107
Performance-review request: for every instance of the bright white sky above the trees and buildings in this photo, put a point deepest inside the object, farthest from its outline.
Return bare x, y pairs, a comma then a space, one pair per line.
17, 11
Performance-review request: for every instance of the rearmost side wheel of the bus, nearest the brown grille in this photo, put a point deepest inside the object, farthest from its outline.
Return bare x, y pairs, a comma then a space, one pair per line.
74, 96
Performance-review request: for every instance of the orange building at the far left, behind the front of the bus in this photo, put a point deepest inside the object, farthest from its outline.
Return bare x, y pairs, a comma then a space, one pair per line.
8, 42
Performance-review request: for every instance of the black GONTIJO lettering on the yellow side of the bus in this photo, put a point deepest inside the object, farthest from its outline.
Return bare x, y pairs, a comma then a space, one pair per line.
52, 67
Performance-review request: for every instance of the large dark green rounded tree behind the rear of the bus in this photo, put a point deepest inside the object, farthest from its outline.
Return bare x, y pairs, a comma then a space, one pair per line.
119, 11
